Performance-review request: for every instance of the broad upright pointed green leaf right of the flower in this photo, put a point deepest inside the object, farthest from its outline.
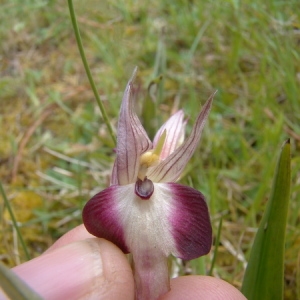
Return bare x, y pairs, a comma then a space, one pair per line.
264, 274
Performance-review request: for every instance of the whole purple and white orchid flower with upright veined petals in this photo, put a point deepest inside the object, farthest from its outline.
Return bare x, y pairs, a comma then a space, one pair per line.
144, 211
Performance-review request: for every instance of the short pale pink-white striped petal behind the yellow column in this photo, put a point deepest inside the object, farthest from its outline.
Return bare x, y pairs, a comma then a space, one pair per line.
175, 127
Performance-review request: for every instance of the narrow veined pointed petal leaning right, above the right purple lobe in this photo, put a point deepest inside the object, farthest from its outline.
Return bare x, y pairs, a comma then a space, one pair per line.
170, 169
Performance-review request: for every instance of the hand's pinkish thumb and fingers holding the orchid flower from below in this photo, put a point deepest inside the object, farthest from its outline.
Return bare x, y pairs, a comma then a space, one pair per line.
80, 266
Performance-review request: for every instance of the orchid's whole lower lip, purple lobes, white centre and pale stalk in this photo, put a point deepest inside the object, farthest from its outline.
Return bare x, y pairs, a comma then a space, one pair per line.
174, 220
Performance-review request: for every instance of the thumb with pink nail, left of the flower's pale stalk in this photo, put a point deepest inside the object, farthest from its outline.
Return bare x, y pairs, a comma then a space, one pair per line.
87, 269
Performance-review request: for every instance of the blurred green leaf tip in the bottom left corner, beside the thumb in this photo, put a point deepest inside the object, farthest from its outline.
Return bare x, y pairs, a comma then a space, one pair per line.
14, 287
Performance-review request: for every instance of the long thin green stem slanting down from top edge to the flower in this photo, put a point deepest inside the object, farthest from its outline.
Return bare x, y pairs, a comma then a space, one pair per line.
88, 71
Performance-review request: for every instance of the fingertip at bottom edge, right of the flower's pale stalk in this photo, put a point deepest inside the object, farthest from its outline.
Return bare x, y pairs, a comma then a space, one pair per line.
202, 288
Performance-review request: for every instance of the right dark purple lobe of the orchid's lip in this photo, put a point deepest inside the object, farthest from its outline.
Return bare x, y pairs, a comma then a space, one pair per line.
190, 222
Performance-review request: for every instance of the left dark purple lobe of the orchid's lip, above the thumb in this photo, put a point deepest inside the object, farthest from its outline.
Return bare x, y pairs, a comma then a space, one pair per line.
101, 217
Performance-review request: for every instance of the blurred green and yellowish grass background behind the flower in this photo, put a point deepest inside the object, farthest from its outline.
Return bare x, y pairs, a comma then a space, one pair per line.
55, 151
